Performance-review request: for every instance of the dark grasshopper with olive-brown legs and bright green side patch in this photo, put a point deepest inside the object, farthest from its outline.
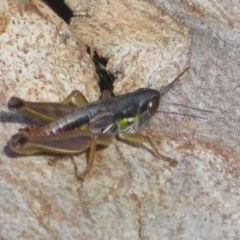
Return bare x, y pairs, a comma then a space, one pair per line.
75, 125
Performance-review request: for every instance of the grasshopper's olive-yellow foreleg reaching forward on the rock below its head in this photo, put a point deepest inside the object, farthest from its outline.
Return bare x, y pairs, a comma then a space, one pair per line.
138, 138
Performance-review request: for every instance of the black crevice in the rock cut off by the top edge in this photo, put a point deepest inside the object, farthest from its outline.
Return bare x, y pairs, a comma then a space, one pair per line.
61, 9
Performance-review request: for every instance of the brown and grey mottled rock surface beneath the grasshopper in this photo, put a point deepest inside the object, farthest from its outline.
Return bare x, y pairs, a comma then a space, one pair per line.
130, 194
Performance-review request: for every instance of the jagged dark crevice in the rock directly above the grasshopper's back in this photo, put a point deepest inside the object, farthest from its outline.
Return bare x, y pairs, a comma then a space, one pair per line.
106, 78
